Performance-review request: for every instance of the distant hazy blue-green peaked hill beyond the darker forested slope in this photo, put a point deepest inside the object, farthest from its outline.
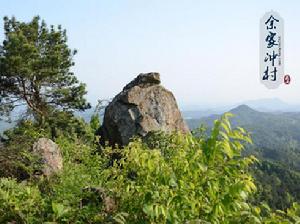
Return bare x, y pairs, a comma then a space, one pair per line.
276, 136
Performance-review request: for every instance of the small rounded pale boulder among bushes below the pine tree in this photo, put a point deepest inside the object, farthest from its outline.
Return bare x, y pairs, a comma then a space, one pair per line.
51, 158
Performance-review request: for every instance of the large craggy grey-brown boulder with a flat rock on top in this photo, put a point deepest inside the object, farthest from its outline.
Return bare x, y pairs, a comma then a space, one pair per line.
142, 107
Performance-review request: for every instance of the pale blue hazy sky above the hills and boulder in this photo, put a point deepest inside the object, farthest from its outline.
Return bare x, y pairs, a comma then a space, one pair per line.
207, 52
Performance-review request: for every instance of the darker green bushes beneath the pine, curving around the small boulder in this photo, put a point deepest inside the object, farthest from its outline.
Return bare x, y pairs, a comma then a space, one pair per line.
17, 160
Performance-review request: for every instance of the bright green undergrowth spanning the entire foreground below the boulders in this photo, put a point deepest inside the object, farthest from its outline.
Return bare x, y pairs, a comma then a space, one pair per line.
169, 178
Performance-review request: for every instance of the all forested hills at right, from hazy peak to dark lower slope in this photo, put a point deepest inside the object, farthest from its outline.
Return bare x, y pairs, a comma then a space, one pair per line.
276, 142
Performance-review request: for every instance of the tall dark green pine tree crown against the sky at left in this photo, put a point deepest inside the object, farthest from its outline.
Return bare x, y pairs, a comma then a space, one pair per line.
35, 64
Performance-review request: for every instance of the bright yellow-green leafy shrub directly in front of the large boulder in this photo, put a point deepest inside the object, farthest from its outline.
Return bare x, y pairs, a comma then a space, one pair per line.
186, 180
